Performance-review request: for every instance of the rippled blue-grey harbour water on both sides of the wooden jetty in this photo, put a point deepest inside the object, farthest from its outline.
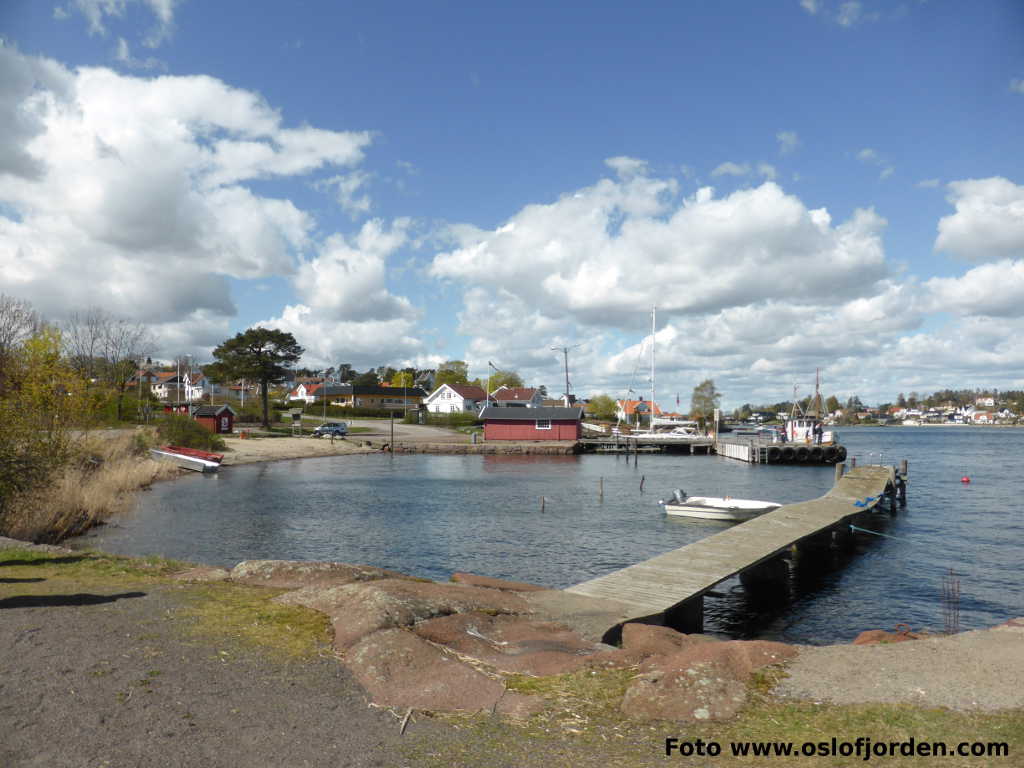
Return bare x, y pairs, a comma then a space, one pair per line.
433, 516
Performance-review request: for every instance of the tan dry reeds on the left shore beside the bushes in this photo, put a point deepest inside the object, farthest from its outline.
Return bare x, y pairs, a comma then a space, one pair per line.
87, 492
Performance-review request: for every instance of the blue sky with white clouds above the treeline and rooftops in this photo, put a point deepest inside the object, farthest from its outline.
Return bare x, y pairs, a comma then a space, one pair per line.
795, 185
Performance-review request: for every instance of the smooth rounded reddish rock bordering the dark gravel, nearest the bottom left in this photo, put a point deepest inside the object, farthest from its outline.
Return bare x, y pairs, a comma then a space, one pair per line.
399, 669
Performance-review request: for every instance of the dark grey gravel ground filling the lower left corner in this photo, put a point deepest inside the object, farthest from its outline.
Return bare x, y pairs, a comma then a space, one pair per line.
109, 679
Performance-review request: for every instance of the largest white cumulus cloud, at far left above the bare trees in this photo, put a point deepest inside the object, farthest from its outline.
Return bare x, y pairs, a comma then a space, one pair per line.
132, 193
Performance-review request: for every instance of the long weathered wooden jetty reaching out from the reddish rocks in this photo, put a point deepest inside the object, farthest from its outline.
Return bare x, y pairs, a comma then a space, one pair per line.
674, 584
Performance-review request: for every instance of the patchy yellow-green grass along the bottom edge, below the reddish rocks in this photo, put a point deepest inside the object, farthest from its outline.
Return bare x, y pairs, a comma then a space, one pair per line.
582, 726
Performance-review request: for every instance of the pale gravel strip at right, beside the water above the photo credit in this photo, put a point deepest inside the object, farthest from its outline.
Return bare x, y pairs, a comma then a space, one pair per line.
982, 671
